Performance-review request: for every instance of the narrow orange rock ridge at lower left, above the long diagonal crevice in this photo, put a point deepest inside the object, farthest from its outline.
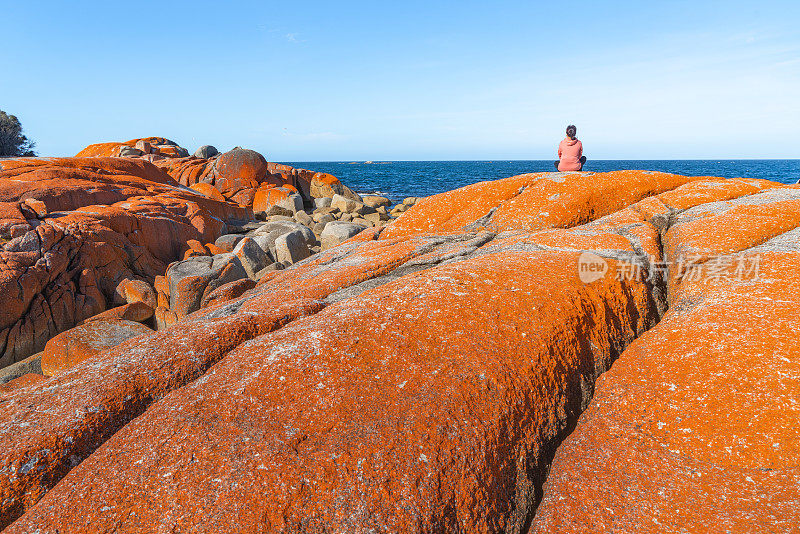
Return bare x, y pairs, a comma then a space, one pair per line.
89, 402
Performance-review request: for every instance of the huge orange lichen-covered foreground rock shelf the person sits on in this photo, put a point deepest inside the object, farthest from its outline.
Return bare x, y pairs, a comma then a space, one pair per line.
424, 376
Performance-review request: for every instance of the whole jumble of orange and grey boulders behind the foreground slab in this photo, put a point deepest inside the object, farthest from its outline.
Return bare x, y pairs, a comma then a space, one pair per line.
112, 235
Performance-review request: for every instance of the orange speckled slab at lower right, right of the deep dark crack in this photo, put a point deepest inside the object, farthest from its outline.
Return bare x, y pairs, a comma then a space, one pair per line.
695, 427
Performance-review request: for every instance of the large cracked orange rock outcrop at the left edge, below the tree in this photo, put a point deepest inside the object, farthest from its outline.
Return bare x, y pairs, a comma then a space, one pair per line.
107, 219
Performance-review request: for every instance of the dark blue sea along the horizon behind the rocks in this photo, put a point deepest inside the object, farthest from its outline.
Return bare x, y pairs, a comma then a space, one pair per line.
400, 179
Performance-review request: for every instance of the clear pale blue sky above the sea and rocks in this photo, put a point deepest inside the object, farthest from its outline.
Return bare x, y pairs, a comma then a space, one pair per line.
309, 80
